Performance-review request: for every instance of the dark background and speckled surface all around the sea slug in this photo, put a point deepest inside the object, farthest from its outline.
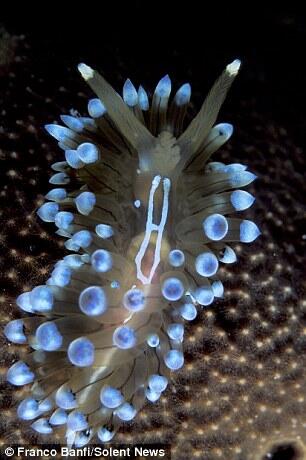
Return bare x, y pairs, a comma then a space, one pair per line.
242, 391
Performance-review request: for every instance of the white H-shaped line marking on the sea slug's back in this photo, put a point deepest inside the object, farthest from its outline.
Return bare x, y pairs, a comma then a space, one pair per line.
151, 227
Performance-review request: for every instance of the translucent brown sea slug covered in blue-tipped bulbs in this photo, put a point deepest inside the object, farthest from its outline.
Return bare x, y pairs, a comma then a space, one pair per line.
148, 219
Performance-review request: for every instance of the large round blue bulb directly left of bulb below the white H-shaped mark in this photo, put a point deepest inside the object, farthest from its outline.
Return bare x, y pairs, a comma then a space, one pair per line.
93, 301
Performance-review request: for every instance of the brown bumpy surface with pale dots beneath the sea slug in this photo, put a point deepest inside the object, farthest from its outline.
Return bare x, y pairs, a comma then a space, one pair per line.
243, 387
